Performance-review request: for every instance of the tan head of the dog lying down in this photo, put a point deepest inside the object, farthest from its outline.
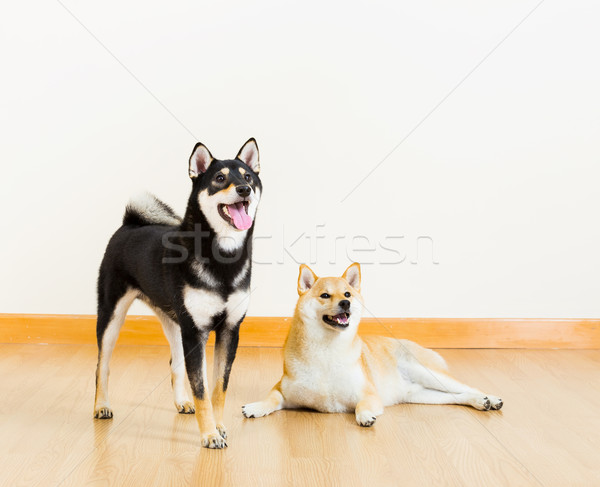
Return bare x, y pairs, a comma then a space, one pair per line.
334, 303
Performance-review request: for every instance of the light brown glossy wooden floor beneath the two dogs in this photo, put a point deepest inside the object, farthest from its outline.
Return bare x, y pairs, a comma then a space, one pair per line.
548, 432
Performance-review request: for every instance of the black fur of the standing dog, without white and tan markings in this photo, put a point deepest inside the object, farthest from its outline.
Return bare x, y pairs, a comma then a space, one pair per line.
157, 262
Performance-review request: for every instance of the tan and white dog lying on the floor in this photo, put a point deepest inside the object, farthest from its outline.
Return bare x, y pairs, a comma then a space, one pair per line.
328, 367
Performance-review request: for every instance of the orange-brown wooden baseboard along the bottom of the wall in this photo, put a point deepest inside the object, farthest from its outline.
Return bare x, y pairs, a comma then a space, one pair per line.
271, 331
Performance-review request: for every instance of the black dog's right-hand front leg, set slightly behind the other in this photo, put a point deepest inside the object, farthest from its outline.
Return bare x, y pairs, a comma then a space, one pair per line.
225, 348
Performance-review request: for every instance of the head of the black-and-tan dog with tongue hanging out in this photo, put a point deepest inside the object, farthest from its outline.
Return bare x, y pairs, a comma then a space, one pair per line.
227, 191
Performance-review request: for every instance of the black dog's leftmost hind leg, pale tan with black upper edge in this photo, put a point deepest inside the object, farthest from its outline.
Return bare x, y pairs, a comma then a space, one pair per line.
108, 326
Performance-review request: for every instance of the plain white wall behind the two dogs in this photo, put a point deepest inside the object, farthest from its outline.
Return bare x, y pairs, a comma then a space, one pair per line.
502, 177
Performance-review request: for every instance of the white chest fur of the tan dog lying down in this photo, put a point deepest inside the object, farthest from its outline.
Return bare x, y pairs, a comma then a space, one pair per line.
323, 380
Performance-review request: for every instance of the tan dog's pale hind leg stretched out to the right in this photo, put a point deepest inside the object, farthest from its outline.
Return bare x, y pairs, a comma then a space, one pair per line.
463, 394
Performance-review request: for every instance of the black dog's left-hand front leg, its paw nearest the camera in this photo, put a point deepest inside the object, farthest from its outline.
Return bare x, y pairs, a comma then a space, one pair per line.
194, 347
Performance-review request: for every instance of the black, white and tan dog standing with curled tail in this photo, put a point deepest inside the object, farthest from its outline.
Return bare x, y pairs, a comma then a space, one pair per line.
193, 272
